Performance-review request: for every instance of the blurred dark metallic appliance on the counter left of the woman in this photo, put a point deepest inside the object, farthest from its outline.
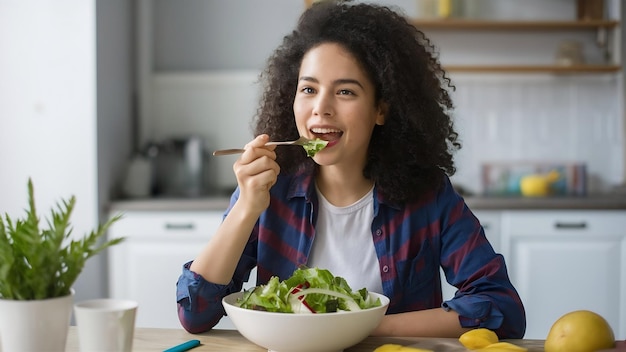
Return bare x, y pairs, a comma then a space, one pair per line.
180, 166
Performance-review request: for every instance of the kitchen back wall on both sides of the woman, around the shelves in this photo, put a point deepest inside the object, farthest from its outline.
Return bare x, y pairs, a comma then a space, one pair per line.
195, 73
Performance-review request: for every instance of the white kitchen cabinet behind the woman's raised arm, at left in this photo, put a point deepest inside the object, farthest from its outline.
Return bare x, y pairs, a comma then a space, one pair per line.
147, 265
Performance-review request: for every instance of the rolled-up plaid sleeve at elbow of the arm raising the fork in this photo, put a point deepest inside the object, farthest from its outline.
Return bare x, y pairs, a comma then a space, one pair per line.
199, 301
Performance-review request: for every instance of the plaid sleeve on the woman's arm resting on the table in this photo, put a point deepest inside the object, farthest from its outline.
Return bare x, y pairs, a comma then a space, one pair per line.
486, 297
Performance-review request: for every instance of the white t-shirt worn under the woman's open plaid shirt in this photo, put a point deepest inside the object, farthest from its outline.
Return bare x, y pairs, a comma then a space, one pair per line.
343, 243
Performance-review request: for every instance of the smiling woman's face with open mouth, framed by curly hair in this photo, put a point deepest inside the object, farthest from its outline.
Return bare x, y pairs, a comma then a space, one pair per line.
335, 101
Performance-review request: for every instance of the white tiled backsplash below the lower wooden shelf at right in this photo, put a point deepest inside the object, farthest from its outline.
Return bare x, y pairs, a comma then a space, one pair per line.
540, 118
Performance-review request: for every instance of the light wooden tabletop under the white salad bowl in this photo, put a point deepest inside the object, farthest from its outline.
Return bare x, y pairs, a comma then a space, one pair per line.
150, 339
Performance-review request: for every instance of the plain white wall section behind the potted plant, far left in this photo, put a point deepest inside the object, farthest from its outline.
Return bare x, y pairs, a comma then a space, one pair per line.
65, 110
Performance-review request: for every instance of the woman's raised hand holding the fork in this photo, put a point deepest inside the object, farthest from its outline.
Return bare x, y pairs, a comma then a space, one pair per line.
256, 171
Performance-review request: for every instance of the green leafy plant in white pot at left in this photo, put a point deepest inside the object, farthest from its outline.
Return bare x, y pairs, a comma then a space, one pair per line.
38, 266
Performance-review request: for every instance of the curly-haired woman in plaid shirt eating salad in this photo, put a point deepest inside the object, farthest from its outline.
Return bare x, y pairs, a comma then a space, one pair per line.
375, 206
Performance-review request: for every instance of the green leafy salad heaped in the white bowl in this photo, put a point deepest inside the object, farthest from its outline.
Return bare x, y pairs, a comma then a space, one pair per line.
308, 290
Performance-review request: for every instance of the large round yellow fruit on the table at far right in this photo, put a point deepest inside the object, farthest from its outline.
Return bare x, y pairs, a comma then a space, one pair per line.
580, 331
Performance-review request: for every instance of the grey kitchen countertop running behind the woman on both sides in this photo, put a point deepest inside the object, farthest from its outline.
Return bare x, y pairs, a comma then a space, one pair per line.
219, 203
